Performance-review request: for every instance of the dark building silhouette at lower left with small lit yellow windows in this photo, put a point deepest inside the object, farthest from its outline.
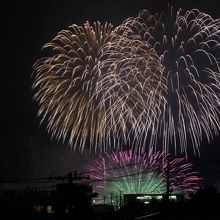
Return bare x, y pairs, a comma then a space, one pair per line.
73, 197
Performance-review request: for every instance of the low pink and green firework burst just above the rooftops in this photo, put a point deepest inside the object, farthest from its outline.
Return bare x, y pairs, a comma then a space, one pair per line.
133, 173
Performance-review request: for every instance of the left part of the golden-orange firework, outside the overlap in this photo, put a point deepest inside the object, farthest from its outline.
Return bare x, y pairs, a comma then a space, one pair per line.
65, 81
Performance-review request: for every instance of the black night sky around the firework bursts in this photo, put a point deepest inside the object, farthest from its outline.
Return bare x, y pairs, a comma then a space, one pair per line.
26, 149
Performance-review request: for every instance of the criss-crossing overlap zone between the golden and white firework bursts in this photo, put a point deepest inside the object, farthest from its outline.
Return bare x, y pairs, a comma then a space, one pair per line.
132, 84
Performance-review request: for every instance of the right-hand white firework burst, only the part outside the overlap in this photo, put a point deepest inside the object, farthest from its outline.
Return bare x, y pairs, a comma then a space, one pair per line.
188, 46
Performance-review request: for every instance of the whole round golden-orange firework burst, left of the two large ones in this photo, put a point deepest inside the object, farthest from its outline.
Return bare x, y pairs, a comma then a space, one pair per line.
97, 87
